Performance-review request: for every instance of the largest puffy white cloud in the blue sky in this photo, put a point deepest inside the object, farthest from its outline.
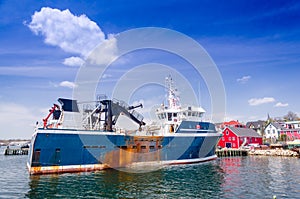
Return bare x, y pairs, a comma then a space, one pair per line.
75, 34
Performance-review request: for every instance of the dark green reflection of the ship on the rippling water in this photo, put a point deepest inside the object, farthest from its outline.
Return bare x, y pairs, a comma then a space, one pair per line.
201, 181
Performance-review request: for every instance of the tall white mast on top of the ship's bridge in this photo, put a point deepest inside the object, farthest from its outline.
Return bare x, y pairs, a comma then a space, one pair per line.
173, 99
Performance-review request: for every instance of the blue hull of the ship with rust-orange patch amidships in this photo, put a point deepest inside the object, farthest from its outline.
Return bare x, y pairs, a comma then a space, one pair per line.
63, 150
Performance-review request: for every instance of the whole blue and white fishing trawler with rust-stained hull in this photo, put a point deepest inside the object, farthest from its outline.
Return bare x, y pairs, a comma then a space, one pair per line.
179, 136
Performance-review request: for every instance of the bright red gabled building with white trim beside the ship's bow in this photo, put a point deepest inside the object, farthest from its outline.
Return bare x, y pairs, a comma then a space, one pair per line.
235, 137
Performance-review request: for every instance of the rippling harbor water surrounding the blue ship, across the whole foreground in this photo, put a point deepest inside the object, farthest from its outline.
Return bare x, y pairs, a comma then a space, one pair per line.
233, 177
